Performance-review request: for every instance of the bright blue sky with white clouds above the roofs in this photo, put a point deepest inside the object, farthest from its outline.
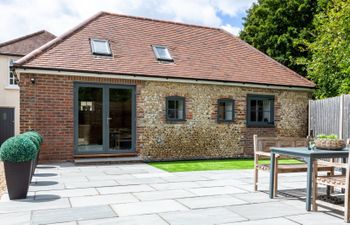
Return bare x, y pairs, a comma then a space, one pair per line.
21, 17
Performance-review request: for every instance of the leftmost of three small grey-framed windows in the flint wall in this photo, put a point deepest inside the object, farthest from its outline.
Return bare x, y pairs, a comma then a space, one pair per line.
175, 108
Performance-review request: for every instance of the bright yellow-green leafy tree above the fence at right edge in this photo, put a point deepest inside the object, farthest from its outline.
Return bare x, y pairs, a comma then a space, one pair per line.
329, 66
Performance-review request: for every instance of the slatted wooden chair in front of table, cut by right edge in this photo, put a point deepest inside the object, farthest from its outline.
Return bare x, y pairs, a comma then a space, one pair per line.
335, 181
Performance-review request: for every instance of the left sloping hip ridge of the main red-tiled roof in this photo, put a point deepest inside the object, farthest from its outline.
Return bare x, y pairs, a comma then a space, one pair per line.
35, 53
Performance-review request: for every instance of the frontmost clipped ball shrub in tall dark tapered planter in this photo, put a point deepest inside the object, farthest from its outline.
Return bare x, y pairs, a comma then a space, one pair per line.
17, 153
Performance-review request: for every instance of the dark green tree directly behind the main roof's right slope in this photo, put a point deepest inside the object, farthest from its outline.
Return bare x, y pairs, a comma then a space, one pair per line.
282, 29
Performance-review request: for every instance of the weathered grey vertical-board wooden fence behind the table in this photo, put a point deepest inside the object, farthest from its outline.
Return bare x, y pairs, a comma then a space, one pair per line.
330, 116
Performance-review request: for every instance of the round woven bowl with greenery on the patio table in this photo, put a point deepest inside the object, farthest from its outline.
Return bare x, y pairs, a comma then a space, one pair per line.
329, 142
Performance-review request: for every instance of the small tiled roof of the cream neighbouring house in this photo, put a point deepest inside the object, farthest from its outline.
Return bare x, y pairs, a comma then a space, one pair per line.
23, 45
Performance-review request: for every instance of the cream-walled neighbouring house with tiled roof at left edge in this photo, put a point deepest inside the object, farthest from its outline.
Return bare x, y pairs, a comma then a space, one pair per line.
9, 90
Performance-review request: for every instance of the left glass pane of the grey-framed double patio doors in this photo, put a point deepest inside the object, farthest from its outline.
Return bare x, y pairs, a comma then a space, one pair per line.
90, 115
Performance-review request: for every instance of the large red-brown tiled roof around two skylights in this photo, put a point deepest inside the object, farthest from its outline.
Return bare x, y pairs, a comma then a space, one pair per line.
199, 52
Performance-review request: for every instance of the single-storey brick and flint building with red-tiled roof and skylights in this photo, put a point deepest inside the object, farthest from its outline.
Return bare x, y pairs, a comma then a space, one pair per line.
127, 86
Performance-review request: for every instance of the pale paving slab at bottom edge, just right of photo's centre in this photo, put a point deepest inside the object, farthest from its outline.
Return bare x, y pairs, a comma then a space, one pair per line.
202, 217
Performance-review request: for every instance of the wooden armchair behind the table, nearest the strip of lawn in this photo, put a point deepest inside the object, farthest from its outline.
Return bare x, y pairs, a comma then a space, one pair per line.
262, 151
